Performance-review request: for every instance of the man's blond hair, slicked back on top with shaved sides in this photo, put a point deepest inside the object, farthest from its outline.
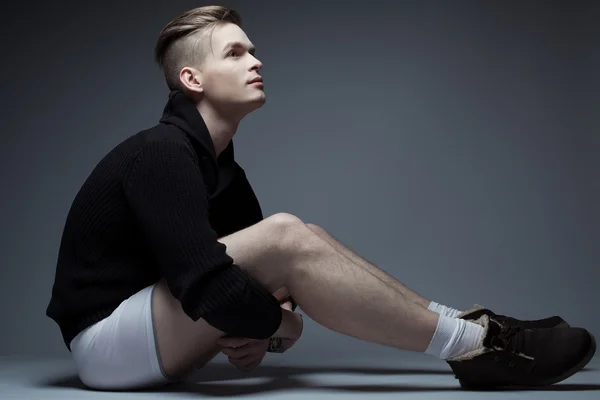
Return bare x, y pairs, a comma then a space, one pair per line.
179, 44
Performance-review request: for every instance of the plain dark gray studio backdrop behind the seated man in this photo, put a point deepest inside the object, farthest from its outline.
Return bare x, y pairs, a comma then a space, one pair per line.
454, 144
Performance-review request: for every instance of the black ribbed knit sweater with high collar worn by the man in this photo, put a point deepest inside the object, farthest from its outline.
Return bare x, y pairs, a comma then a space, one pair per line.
153, 208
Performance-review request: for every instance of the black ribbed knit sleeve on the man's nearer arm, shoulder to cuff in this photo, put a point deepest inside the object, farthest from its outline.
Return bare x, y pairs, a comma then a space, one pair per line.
166, 191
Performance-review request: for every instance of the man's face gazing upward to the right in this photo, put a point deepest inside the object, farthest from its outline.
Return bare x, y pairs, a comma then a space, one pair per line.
228, 70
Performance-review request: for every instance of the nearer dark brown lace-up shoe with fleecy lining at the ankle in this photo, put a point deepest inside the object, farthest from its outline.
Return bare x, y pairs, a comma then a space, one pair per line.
515, 357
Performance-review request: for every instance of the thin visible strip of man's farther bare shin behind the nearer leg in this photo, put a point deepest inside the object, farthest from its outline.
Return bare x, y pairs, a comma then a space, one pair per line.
378, 272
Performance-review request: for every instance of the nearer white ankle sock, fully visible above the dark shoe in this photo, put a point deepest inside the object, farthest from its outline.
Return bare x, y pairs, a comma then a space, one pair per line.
454, 337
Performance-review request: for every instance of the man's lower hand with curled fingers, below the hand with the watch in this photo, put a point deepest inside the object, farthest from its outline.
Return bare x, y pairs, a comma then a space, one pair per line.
245, 354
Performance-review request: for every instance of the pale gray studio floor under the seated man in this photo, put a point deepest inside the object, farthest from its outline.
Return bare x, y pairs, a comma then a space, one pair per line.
411, 376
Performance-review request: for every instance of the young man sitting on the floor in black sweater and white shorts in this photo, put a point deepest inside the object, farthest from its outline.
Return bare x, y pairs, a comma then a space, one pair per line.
166, 259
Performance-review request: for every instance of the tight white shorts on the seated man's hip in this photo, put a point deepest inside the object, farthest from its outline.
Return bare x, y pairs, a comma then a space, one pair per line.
119, 352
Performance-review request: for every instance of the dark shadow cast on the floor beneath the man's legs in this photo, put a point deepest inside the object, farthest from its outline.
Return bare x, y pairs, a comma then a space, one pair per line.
287, 378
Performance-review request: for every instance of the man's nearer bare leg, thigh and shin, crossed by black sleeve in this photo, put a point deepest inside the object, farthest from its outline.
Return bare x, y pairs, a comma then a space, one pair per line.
331, 289
